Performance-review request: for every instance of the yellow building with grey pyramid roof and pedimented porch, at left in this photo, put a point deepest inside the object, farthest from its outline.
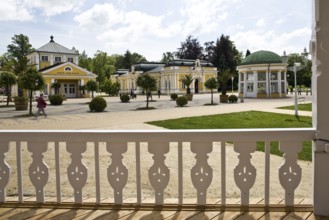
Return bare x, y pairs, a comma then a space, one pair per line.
59, 64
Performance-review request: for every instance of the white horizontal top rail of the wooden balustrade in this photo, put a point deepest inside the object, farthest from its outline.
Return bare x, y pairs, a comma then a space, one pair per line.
283, 134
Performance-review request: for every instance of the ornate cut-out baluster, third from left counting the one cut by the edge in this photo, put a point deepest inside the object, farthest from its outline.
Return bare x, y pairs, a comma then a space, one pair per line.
77, 172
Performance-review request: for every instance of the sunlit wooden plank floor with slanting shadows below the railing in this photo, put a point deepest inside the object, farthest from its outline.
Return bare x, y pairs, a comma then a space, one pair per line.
68, 211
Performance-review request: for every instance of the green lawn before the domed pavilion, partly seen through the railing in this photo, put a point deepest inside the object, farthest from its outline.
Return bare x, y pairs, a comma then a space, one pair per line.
250, 119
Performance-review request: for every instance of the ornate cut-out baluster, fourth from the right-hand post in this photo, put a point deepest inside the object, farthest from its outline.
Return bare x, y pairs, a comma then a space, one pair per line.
159, 173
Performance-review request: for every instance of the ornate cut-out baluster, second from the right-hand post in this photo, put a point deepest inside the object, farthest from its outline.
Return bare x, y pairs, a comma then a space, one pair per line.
244, 172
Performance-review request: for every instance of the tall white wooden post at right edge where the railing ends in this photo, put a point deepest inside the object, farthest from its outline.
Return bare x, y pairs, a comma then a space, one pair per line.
320, 56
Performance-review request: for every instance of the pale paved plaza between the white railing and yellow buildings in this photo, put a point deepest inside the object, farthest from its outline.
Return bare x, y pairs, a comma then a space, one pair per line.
74, 114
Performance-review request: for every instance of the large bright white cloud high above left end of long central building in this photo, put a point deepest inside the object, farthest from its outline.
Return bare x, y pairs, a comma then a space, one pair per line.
118, 28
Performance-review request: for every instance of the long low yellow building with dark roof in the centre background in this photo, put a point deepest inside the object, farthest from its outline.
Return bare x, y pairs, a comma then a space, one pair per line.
168, 75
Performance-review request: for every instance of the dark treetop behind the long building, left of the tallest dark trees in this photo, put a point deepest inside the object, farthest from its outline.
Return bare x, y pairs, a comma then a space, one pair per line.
190, 49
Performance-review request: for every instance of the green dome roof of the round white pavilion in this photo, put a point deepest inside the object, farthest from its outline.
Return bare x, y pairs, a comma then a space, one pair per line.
261, 57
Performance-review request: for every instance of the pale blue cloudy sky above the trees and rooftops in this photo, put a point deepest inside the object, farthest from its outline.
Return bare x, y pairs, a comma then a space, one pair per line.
153, 27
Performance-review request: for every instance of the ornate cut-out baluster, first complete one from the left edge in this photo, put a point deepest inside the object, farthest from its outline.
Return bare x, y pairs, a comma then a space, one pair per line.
38, 170
